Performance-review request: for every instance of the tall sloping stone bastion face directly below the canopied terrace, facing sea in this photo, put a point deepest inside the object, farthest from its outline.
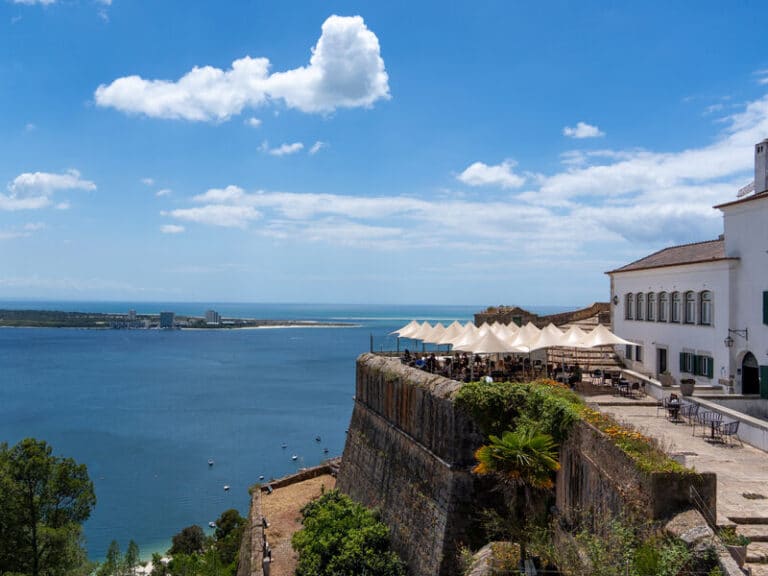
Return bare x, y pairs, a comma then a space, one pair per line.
409, 452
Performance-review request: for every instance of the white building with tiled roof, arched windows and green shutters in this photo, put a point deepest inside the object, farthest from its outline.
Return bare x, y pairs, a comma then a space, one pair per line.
701, 310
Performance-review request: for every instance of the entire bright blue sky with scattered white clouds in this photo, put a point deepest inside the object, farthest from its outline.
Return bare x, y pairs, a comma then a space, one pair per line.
366, 152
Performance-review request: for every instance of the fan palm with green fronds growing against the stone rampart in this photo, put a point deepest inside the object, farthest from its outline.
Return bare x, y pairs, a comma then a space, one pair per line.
525, 459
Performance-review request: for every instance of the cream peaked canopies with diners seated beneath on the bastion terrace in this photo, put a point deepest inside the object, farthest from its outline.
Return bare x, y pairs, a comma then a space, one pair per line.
498, 351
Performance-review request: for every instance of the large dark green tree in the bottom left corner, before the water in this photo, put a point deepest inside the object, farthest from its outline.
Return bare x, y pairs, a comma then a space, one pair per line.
45, 500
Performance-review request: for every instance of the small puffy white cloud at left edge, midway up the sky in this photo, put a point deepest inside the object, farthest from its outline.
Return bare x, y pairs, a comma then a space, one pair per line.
33, 190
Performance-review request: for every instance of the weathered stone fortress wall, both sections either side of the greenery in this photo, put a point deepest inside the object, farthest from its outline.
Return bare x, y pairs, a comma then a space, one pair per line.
410, 451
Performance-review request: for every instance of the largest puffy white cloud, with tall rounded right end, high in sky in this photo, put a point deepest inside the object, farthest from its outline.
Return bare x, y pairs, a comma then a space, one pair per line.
345, 71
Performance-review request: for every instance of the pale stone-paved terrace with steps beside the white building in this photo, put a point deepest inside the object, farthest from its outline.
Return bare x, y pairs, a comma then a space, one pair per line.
742, 471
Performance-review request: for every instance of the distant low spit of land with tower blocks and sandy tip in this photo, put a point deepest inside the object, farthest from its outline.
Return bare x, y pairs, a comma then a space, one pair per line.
133, 321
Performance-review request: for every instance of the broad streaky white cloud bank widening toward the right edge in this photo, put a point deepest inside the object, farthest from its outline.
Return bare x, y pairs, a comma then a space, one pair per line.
620, 204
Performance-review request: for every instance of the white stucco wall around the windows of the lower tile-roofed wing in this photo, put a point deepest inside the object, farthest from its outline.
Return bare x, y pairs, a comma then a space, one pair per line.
677, 337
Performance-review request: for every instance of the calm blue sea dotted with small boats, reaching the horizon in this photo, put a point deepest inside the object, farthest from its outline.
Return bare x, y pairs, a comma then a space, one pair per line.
146, 409
